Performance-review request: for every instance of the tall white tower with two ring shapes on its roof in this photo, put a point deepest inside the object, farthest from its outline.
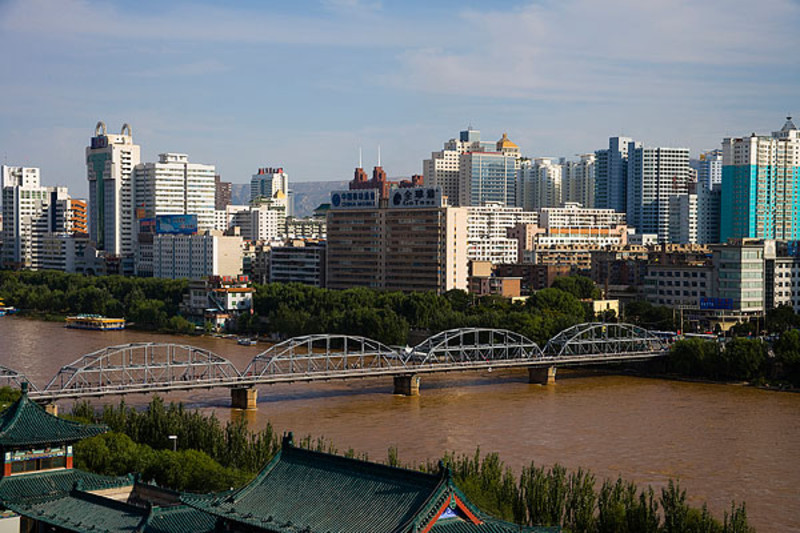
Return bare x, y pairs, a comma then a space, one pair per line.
109, 167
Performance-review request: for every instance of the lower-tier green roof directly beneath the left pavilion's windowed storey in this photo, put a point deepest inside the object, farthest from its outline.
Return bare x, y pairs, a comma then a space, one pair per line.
55, 482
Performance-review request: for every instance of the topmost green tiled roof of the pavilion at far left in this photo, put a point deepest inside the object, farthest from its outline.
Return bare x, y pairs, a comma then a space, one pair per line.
26, 423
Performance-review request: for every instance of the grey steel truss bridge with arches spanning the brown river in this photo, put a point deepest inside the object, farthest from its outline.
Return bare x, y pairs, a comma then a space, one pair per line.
155, 367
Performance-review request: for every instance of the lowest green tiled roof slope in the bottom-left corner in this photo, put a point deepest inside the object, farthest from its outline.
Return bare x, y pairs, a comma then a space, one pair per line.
82, 512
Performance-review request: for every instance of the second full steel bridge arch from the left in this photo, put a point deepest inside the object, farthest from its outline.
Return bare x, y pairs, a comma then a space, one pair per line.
320, 354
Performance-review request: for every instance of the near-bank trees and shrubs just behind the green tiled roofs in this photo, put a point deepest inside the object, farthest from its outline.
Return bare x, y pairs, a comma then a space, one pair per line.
214, 456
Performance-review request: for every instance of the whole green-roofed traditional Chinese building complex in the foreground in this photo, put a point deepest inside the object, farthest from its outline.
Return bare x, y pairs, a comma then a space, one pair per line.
299, 491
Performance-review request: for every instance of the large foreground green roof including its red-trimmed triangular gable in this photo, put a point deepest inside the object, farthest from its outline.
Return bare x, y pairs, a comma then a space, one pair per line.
306, 491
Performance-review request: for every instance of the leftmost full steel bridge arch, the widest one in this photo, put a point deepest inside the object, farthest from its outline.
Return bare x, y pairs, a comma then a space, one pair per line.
136, 367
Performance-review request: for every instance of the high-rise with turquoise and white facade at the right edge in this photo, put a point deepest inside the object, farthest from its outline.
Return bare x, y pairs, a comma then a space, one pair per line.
761, 186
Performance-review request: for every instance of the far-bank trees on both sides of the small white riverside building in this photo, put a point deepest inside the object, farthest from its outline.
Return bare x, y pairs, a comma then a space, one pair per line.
289, 310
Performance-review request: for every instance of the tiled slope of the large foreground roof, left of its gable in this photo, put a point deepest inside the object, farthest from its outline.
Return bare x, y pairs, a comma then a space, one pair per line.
301, 490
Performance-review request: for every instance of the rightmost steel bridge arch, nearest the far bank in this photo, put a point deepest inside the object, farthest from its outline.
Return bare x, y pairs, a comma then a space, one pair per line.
602, 338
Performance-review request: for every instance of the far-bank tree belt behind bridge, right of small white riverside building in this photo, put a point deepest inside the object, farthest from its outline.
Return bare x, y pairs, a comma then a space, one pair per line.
390, 317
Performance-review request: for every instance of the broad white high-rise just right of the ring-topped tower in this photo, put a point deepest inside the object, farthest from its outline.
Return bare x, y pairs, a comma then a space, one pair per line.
174, 186
